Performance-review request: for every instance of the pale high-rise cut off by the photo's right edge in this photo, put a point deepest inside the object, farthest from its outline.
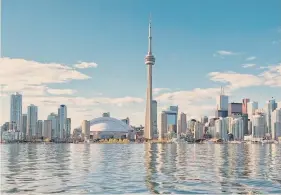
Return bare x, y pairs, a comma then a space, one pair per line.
276, 123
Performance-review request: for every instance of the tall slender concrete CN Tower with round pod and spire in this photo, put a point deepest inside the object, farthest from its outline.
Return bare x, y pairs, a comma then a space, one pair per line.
149, 61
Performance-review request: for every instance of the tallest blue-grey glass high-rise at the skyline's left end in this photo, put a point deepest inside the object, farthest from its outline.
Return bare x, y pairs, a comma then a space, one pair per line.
16, 111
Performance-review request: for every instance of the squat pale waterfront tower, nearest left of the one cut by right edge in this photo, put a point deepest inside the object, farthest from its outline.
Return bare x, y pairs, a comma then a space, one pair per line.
258, 126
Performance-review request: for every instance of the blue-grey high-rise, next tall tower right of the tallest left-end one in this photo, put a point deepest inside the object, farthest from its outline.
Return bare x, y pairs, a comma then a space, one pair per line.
32, 117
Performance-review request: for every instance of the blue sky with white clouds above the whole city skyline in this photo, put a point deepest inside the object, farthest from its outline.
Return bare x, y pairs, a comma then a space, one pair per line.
89, 55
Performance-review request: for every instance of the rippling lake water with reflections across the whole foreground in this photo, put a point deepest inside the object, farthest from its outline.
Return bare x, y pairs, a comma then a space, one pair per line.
140, 168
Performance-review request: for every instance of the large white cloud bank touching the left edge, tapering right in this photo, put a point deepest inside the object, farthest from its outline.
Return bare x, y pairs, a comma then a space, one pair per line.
19, 73
